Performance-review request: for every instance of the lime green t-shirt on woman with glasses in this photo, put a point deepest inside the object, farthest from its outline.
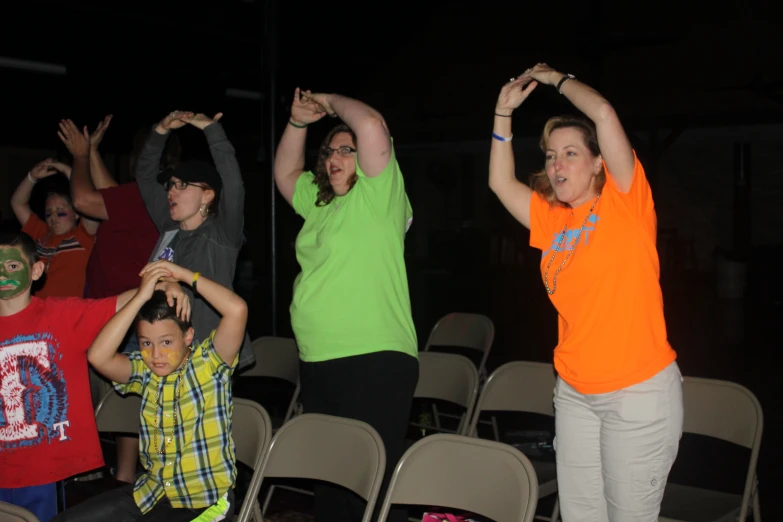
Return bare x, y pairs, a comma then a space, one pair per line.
351, 297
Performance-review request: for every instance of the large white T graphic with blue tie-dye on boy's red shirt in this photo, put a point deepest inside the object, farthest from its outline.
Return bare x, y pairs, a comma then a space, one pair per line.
33, 394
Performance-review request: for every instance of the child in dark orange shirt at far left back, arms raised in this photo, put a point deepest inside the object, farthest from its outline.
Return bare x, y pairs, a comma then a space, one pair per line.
64, 239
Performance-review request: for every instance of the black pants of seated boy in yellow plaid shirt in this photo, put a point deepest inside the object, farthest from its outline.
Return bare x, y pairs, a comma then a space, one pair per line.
118, 505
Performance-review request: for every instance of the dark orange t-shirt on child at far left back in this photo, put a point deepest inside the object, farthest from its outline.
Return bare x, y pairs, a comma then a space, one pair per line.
66, 254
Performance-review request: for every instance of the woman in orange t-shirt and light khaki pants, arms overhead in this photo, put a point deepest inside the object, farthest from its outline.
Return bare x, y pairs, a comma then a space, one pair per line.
618, 399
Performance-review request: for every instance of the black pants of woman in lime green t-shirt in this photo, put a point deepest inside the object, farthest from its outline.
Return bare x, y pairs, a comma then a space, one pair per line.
376, 388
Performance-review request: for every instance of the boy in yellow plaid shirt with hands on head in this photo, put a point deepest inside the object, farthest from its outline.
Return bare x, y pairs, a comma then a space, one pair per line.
186, 445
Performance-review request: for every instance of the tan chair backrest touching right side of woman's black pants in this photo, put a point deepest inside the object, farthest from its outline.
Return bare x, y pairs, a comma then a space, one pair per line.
447, 377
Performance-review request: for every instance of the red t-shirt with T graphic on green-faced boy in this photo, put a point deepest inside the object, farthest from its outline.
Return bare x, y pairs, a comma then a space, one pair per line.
47, 425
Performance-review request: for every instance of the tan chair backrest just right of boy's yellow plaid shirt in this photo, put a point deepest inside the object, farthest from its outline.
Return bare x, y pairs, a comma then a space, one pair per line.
251, 430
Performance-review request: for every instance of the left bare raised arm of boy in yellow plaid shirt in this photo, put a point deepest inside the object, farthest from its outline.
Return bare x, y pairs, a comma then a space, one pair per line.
103, 351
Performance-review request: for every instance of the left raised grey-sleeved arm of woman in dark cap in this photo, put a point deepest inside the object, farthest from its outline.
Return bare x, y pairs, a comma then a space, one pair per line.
148, 167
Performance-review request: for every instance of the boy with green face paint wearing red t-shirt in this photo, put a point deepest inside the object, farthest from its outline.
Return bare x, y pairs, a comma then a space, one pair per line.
47, 428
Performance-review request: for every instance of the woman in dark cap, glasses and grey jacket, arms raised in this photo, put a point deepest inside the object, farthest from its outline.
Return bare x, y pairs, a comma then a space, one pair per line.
199, 211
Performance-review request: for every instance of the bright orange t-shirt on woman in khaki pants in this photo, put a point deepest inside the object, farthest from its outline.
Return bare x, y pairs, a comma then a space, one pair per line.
611, 329
